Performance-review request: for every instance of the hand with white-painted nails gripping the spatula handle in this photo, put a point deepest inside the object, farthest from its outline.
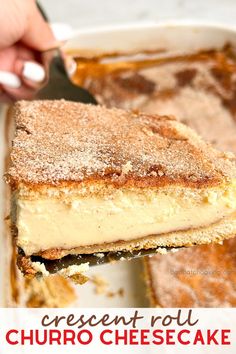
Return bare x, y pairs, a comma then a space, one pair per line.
24, 35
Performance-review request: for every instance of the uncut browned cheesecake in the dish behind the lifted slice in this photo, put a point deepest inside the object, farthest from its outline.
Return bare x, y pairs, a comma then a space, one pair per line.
198, 88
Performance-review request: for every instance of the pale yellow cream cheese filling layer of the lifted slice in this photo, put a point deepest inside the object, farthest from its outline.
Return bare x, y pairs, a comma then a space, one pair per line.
65, 223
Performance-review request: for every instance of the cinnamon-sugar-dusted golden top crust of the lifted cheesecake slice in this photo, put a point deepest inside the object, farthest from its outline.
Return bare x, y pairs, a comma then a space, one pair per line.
60, 142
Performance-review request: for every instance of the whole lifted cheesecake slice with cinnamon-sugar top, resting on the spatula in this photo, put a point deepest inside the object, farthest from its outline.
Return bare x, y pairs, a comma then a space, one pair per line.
91, 180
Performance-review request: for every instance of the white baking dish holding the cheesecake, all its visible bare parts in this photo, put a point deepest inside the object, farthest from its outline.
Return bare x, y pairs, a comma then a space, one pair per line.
175, 36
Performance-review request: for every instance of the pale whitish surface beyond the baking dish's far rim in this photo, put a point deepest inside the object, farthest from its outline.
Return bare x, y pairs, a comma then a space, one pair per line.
87, 13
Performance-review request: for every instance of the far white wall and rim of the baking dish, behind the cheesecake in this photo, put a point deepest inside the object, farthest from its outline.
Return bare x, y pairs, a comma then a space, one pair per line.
171, 36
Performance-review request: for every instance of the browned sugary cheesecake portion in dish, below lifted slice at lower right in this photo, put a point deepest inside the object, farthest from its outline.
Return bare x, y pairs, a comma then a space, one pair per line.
202, 276
